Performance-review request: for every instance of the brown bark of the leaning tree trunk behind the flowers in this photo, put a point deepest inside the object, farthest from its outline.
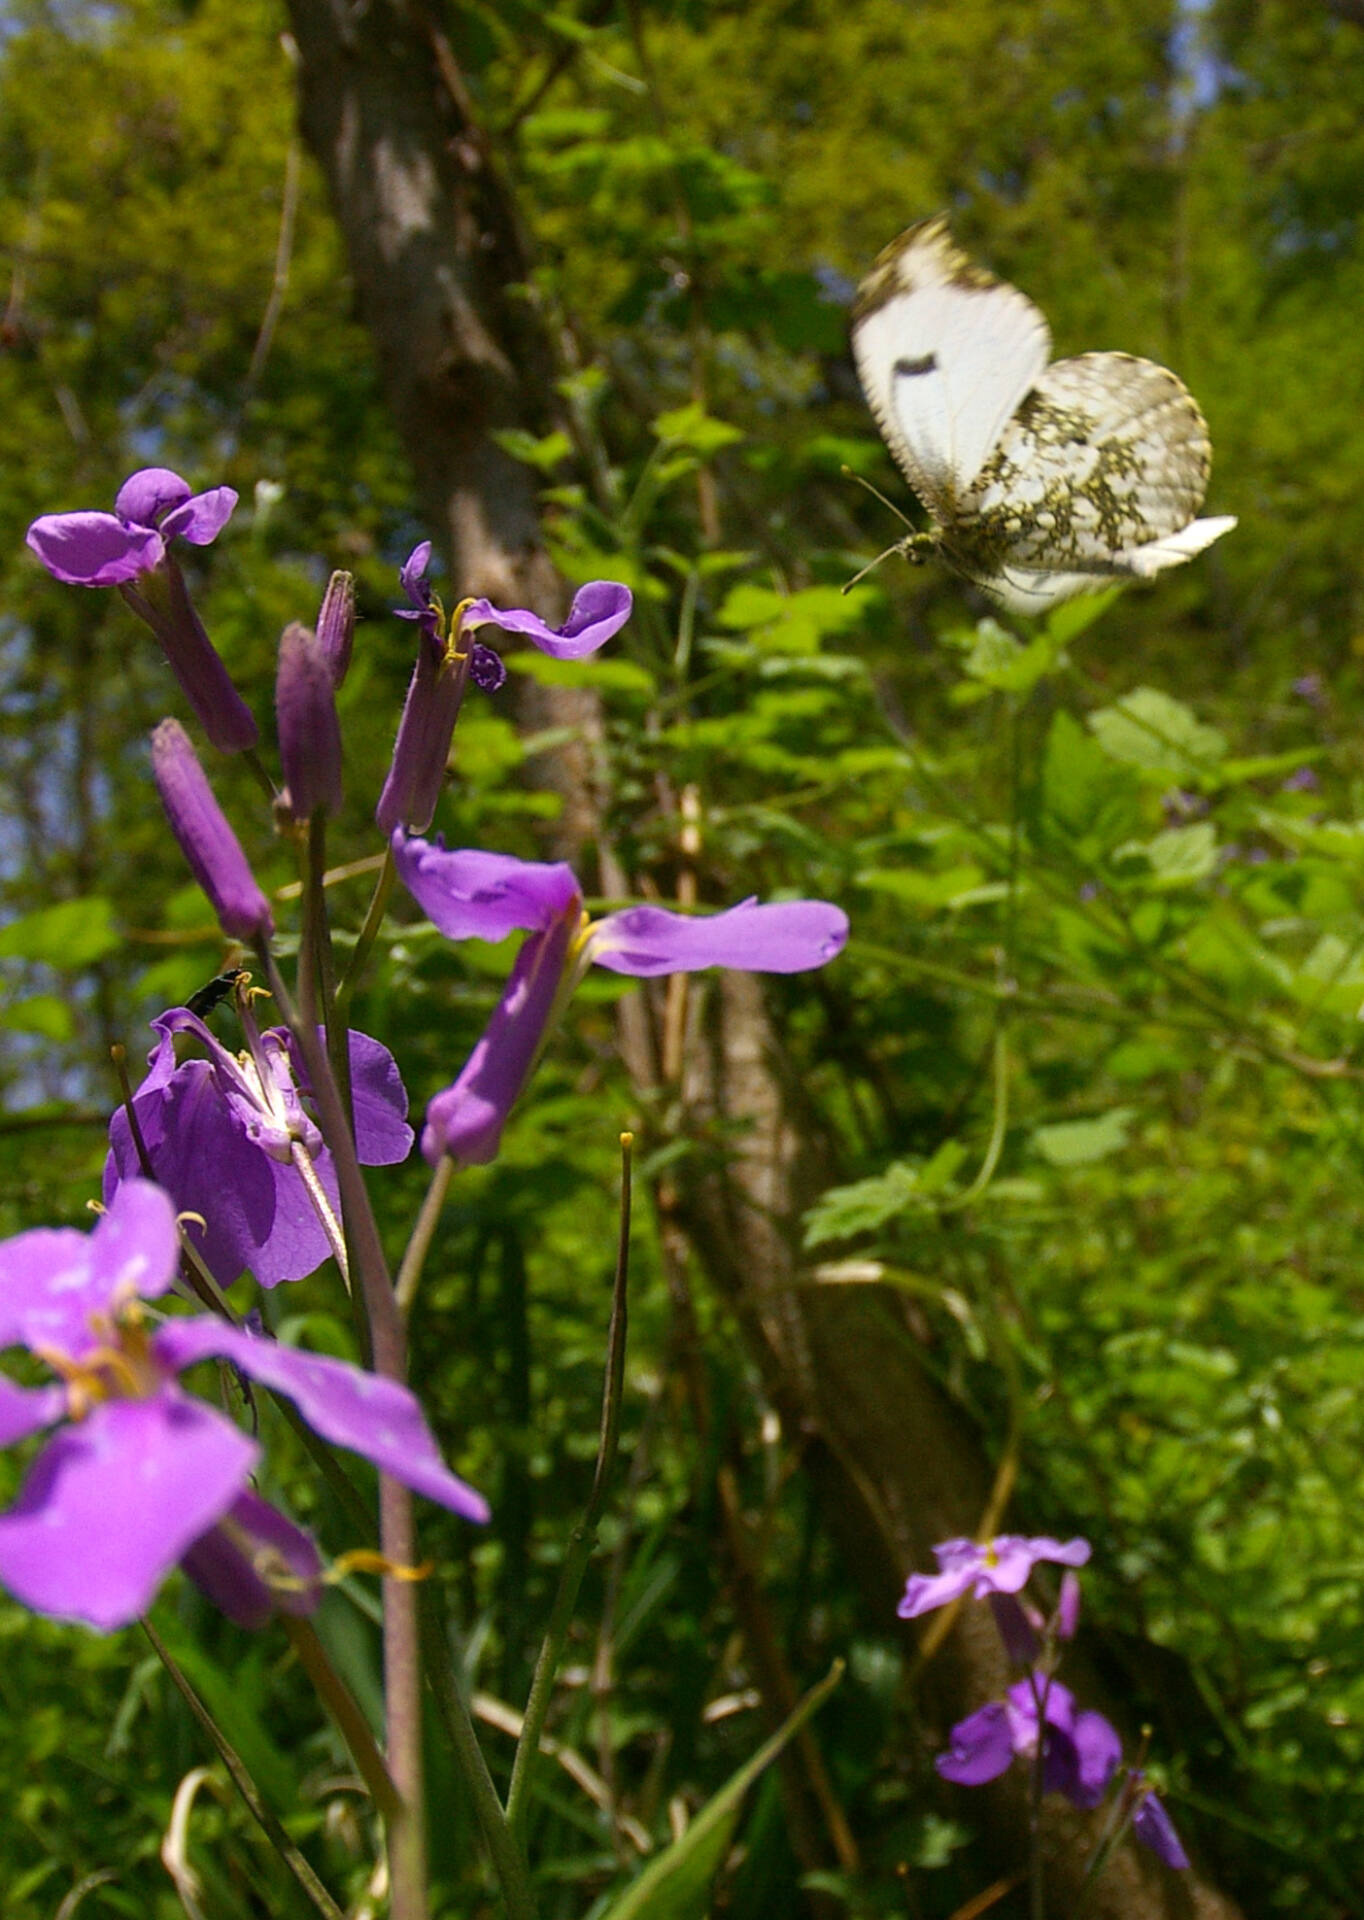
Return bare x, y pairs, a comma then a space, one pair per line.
435, 243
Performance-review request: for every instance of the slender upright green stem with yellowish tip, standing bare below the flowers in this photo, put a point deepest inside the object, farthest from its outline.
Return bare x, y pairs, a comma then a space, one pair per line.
585, 1535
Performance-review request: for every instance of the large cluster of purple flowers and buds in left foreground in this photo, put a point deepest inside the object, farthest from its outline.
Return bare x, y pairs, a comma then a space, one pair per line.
220, 1161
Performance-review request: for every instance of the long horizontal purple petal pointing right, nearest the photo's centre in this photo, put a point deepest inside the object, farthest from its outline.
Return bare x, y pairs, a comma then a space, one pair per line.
787, 938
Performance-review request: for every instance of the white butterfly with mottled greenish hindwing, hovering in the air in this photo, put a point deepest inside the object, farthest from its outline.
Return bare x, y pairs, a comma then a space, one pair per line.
1044, 481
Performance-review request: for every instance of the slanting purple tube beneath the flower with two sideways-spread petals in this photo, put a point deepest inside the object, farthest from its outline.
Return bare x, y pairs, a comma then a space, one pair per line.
468, 1118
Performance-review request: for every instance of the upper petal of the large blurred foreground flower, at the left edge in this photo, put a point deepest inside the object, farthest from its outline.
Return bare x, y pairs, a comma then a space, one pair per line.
57, 1282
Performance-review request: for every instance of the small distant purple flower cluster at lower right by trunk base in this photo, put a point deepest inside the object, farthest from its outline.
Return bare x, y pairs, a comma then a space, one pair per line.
1081, 1750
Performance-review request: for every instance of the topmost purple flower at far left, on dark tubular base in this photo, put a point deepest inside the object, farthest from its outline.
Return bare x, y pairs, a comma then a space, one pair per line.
132, 544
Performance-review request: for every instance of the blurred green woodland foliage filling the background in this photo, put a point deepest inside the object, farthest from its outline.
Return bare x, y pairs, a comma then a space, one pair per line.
1125, 853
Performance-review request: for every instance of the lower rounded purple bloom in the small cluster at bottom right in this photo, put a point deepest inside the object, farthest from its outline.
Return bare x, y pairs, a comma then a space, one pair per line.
1081, 1752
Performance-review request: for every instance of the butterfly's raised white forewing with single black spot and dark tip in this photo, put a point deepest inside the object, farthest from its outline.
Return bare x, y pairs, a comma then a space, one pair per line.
946, 354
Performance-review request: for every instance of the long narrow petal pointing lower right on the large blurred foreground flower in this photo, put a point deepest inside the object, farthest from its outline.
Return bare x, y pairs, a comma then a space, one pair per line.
343, 1404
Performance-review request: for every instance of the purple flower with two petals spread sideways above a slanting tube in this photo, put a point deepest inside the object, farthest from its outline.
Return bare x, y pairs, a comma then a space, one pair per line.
489, 896
